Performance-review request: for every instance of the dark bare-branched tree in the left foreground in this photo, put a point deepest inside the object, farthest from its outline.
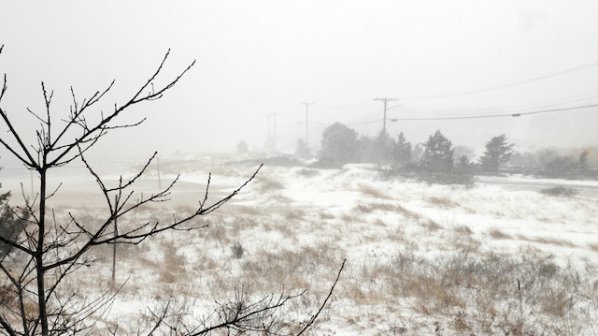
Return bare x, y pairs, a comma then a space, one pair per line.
48, 247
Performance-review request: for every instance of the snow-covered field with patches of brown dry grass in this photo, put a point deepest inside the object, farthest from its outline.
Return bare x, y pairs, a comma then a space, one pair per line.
421, 259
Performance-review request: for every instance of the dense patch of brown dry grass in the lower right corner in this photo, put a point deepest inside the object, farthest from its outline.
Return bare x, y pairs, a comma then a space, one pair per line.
480, 291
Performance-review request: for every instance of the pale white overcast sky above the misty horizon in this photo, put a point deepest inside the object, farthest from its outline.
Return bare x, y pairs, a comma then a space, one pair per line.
256, 58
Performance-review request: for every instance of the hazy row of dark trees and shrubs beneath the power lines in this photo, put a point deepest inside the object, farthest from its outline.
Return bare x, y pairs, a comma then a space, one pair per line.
438, 156
